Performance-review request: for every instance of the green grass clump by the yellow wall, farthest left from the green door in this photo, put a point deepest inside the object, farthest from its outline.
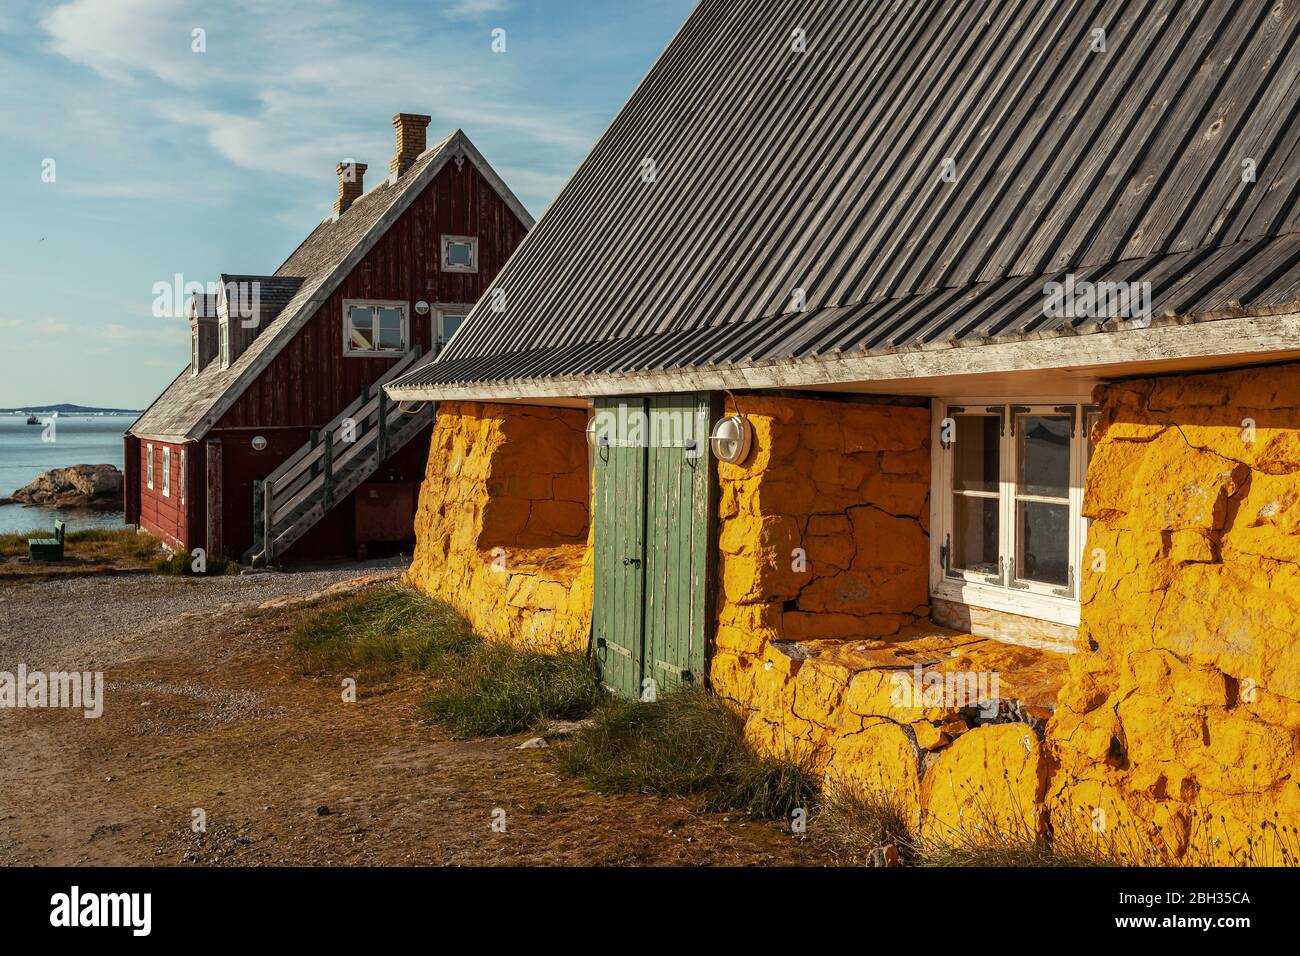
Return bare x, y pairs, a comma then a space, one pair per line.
382, 633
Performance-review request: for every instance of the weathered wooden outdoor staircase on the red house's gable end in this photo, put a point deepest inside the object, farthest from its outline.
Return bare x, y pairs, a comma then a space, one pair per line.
333, 465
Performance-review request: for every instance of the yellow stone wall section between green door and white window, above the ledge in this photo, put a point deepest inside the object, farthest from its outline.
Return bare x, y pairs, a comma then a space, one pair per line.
824, 530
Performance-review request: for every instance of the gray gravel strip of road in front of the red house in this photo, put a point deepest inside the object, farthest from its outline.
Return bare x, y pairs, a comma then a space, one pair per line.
72, 624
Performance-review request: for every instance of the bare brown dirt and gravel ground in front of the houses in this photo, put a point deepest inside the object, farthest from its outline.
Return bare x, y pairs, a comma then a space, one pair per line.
206, 712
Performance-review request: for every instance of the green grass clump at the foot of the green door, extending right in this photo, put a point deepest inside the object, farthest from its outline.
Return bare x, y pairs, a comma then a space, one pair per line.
688, 743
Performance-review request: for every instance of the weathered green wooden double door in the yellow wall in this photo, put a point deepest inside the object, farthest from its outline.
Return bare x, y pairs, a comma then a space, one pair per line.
655, 512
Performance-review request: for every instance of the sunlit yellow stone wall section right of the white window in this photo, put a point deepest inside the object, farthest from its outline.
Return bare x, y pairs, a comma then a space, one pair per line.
1180, 723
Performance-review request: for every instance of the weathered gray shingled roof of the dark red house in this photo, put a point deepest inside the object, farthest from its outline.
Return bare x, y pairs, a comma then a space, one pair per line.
193, 404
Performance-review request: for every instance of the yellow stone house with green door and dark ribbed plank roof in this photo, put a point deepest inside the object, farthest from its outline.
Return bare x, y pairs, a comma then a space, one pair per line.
928, 383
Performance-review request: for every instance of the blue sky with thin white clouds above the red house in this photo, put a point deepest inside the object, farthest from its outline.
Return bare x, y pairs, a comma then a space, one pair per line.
168, 161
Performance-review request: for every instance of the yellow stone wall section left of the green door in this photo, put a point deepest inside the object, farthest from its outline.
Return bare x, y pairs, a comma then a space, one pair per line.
504, 531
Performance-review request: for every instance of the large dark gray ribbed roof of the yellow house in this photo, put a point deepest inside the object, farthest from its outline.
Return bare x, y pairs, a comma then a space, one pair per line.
779, 171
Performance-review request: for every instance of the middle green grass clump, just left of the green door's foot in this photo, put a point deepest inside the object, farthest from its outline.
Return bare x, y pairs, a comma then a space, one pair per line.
496, 691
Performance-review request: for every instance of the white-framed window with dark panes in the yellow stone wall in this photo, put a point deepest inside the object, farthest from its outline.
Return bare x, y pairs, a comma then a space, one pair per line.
1008, 503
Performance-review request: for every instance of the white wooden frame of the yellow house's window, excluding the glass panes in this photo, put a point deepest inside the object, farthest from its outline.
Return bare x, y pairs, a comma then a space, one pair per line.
1007, 591
